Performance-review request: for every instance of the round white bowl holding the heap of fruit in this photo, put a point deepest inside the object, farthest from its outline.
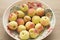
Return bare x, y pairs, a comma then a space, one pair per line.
14, 34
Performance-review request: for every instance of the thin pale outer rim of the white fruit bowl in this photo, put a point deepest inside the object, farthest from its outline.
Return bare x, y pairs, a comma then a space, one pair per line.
22, 0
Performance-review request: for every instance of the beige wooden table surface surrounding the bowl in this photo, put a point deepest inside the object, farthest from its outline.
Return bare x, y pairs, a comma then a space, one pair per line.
54, 4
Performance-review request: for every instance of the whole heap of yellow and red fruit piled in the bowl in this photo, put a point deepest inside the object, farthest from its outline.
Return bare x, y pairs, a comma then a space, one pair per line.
30, 20
